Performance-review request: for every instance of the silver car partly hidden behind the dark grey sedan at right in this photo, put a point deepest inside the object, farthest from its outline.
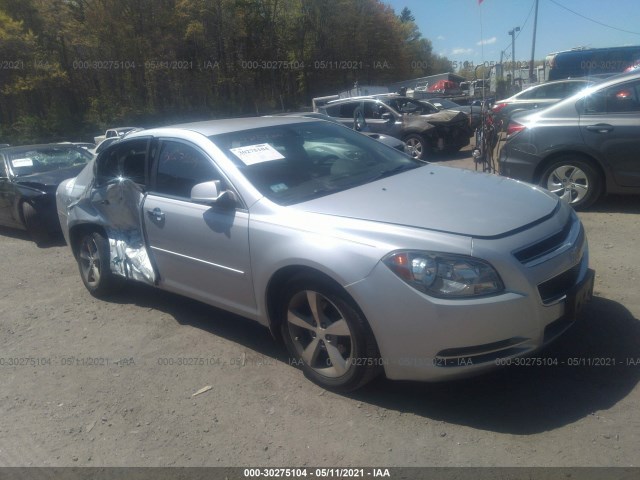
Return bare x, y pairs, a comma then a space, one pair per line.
536, 97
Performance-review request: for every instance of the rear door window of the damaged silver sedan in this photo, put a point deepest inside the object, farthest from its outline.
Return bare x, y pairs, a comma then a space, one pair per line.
125, 160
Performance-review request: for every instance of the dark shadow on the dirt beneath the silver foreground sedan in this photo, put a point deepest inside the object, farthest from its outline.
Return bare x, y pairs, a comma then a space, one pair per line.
595, 370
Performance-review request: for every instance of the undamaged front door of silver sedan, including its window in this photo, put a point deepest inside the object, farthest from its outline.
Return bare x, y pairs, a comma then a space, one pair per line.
200, 251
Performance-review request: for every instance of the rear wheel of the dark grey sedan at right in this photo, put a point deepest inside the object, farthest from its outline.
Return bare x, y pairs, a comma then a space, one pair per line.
574, 179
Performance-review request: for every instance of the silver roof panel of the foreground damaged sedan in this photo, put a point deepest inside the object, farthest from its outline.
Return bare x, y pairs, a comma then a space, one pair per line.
217, 127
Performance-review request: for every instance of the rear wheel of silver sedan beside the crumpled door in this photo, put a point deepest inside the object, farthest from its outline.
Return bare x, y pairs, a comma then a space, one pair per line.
93, 262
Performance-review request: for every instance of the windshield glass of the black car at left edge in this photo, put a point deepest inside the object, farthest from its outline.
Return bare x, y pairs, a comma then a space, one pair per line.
29, 161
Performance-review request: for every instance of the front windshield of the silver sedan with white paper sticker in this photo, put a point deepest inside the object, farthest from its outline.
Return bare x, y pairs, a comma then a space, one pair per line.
297, 162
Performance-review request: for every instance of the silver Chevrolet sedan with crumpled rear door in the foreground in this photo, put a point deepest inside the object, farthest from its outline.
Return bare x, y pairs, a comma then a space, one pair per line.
363, 259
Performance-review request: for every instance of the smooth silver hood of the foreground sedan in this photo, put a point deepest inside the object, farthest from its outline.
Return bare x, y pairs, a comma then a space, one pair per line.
443, 199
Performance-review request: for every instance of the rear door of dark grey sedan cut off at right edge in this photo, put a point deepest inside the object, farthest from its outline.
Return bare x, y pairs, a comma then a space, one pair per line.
610, 125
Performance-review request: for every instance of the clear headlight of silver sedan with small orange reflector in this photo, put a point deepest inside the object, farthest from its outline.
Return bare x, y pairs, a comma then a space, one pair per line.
445, 275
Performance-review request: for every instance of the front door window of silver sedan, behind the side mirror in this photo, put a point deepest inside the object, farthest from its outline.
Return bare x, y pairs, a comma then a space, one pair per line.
180, 168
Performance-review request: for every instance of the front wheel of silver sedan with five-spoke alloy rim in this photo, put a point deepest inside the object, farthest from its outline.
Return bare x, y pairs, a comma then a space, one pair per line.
341, 361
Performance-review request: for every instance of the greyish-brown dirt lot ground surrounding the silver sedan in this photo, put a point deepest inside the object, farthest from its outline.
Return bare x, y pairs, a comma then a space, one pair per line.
95, 385
